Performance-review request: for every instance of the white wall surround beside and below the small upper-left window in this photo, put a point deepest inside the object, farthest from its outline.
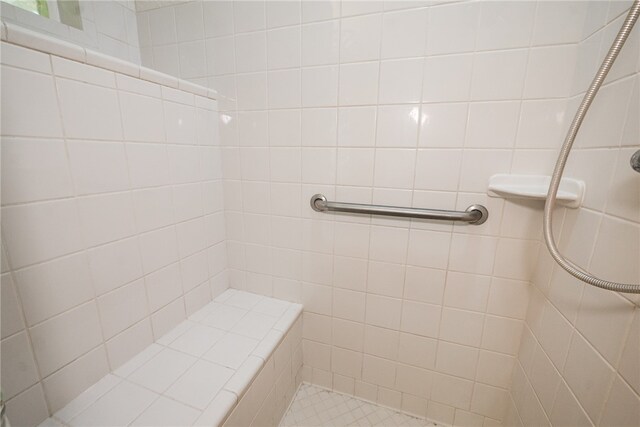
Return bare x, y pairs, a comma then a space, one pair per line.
108, 27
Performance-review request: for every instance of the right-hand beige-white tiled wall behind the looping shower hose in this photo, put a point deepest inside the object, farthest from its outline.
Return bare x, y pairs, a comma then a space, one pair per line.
579, 358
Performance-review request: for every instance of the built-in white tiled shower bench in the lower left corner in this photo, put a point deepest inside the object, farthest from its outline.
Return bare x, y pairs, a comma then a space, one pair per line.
234, 362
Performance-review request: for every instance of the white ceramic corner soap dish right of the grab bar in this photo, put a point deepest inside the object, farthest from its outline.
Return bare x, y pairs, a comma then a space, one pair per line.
570, 193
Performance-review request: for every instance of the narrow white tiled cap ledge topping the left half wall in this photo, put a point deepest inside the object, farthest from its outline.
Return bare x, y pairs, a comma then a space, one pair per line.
15, 34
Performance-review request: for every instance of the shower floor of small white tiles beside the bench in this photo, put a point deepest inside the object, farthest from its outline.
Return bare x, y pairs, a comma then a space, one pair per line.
315, 406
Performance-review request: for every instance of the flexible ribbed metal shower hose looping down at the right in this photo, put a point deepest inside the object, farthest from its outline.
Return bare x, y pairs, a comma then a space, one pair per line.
571, 268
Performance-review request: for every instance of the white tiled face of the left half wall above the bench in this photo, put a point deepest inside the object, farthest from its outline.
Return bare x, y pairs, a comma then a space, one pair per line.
112, 222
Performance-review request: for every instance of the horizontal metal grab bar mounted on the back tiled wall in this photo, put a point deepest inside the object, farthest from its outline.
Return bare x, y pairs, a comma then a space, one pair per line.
475, 214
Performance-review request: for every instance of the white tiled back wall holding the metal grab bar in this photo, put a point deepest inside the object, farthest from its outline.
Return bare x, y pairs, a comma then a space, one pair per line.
405, 103
